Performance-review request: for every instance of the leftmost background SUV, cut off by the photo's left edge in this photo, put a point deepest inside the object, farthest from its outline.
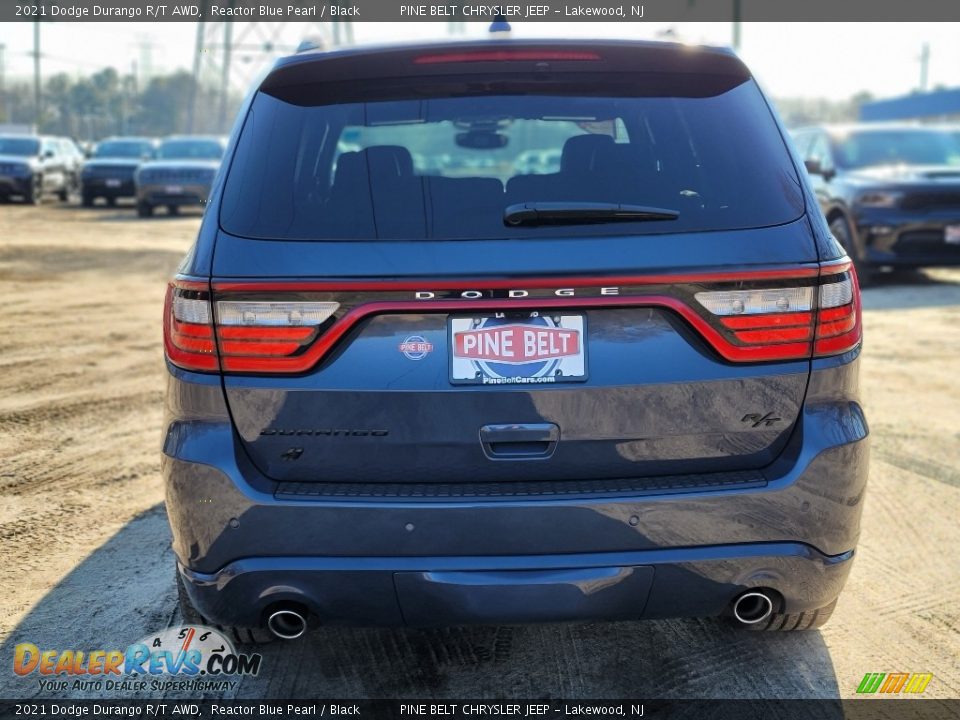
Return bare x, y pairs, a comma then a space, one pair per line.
32, 165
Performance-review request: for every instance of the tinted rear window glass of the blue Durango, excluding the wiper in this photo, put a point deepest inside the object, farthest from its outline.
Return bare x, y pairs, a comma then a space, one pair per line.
448, 167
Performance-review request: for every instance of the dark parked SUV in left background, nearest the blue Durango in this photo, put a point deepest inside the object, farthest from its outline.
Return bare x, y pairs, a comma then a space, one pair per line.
182, 173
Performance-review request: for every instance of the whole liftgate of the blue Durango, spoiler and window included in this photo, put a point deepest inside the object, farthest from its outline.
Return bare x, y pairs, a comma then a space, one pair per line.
380, 318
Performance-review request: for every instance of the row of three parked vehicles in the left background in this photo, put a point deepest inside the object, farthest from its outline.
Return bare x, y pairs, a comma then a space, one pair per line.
174, 172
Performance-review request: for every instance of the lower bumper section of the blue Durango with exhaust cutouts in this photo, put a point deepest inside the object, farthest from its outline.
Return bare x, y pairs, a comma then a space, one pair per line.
442, 590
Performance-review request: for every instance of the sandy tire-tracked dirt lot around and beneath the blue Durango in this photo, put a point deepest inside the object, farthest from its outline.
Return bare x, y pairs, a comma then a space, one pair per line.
85, 548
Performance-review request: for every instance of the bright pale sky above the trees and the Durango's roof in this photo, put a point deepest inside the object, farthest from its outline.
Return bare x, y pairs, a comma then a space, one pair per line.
832, 60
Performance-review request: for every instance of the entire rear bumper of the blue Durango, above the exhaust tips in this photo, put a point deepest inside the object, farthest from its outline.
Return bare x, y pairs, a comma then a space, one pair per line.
379, 560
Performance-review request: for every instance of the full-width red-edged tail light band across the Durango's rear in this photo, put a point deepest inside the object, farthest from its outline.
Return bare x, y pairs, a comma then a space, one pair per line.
271, 328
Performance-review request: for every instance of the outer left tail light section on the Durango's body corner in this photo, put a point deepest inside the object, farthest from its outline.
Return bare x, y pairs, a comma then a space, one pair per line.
187, 327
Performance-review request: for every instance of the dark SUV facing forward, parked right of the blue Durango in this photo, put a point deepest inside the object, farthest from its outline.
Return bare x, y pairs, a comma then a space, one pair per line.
891, 193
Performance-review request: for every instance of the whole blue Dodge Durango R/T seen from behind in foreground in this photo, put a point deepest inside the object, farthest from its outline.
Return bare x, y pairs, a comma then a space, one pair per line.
409, 384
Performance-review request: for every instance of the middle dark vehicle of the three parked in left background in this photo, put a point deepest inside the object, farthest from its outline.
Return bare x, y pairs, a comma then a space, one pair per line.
109, 172
